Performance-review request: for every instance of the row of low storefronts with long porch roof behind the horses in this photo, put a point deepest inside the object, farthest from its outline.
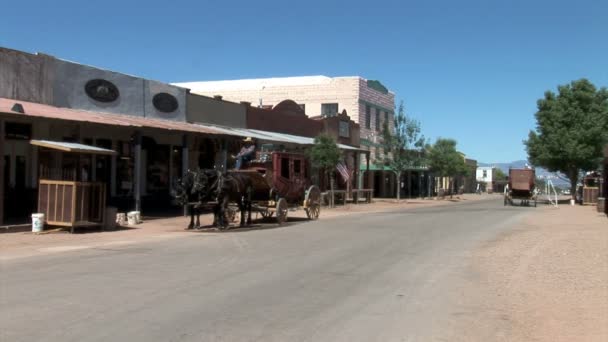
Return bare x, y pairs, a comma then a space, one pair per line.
157, 130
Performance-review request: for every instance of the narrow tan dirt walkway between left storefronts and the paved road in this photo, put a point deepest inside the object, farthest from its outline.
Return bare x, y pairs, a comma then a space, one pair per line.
25, 244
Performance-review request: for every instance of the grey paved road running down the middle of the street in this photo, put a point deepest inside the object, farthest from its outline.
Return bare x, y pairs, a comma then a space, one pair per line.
378, 277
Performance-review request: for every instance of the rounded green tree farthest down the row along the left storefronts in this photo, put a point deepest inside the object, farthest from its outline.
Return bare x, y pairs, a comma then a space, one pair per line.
444, 160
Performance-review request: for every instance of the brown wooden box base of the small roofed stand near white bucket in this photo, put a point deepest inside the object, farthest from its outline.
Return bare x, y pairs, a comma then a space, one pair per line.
71, 204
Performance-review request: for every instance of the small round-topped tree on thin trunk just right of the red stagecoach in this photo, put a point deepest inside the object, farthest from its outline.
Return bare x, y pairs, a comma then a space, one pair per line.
325, 155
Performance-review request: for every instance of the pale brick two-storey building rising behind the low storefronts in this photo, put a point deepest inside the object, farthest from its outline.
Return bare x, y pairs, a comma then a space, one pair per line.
368, 103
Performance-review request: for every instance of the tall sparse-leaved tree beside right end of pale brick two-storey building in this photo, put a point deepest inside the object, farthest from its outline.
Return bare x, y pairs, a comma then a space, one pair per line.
403, 146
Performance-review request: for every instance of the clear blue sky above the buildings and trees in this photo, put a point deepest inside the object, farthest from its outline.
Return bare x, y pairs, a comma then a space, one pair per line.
469, 70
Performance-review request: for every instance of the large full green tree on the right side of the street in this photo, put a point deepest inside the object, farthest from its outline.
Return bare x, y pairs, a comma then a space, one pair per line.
571, 130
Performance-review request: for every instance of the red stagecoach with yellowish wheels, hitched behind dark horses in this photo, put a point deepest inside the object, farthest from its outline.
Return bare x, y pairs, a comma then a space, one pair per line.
280, 181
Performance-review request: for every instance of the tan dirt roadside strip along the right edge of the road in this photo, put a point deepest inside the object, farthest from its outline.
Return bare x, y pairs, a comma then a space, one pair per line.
547, 280
